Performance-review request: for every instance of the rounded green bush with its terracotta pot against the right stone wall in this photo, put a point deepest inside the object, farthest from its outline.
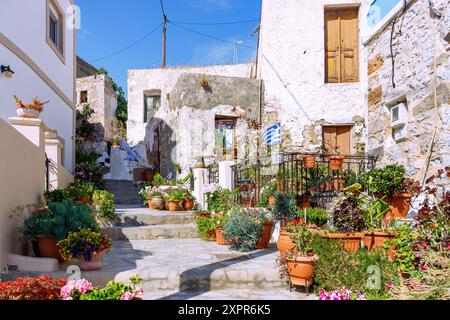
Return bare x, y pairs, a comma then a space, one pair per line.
389, 183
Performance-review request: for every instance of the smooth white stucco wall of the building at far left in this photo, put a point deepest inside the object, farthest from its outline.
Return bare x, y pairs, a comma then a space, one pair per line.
30, 38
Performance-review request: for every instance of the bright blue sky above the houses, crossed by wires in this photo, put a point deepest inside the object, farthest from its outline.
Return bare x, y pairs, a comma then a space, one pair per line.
110, 26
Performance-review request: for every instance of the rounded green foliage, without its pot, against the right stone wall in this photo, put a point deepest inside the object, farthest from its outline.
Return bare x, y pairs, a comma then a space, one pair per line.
384, 182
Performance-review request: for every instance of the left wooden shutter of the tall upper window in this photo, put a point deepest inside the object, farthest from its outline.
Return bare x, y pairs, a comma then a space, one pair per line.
332, 47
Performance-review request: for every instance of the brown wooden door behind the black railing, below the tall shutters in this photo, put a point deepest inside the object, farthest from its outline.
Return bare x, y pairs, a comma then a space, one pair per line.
337, 138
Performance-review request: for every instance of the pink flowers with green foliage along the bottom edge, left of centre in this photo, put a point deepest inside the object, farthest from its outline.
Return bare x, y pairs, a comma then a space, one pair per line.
84, 290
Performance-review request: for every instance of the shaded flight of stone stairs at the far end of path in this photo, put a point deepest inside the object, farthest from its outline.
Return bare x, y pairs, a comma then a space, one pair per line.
125, 192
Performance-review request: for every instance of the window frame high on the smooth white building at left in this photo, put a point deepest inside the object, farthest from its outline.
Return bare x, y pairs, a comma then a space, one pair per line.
54, 9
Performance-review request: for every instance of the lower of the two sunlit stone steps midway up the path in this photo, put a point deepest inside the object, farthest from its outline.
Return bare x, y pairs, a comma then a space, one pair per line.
167, 231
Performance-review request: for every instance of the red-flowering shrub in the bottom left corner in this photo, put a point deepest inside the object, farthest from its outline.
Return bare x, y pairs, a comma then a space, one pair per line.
40, 288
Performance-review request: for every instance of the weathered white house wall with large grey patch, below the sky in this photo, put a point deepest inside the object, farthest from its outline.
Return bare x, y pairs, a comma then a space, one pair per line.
183, 129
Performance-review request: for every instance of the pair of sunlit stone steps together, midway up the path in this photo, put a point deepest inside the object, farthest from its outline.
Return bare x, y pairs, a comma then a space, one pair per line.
139, 223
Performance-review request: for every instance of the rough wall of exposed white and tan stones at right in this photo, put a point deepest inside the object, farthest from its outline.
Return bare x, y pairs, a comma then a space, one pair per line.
418, 39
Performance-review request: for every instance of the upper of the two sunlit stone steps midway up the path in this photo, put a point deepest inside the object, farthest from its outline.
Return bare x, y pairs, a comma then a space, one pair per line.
146, 217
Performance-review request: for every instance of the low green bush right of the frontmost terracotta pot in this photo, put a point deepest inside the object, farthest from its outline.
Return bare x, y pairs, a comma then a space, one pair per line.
337, 268
